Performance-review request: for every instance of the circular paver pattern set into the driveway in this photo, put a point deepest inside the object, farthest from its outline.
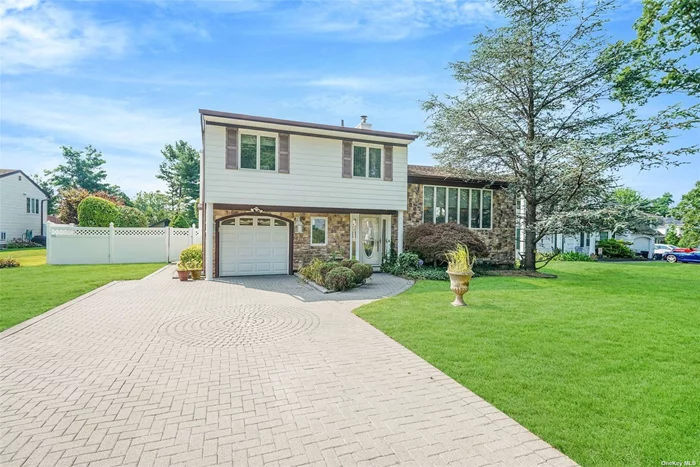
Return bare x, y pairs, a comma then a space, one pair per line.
239, 326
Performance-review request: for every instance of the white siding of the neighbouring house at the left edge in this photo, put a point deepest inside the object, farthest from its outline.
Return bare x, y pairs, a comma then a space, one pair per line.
14, 219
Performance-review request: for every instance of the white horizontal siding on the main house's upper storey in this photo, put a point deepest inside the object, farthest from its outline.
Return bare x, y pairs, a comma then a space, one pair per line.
315, 178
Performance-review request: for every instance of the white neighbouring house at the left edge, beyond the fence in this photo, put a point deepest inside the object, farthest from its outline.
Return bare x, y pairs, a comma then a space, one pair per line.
22, 206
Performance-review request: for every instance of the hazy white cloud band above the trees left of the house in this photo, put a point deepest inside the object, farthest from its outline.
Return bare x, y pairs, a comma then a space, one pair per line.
129, 134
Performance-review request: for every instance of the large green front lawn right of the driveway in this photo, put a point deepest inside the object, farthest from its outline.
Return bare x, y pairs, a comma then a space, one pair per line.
603, 362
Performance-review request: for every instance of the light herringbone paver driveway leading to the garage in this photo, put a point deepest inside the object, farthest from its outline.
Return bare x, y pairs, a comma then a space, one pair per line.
241, 372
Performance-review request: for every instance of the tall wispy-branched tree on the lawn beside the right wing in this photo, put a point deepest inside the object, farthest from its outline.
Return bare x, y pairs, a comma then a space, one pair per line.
532, 112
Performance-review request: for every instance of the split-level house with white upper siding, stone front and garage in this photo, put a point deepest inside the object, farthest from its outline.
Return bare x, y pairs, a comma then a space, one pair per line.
278, 193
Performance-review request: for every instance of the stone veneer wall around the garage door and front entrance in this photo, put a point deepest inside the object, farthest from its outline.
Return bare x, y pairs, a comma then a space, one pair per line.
338, 235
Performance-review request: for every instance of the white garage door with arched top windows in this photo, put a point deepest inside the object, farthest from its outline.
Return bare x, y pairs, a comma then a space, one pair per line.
253, 245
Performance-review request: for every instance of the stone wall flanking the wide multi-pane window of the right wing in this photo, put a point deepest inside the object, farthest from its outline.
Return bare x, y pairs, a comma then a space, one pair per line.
500, 239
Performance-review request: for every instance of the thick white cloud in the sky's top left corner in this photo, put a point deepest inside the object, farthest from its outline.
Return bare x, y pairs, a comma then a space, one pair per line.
42, 36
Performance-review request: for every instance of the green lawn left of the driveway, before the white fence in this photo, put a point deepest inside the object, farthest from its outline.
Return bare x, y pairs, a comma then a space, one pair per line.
36, 287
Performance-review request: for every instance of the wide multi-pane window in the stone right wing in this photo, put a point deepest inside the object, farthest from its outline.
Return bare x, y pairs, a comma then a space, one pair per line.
471, 207
